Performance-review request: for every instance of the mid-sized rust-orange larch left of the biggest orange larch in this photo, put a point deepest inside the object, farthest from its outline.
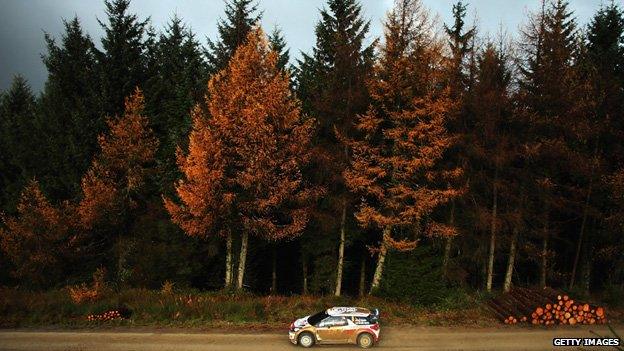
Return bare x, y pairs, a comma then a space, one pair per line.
115, 186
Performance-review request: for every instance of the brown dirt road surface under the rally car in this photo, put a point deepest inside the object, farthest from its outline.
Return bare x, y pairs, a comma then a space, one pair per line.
409, 338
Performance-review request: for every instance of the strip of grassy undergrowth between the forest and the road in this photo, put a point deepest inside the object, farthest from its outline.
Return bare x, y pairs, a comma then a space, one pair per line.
170, 308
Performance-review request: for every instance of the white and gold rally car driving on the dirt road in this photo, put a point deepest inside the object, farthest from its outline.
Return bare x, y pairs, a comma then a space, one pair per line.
337, 325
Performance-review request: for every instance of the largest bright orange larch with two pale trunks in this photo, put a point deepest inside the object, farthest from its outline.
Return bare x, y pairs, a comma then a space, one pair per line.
242, 173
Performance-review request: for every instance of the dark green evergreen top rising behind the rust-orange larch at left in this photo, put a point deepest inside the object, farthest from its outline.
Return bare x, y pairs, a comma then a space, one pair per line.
122, 63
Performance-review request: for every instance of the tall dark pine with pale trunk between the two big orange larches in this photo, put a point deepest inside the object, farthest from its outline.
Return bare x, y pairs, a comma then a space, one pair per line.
332, 85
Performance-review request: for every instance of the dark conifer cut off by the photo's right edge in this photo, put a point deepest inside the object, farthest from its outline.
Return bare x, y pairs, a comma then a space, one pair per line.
602, 63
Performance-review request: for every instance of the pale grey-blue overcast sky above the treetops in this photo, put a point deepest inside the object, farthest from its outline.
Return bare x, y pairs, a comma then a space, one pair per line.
22, 22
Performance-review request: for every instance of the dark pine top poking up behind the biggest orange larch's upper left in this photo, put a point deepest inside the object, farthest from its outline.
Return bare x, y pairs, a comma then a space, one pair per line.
240, 18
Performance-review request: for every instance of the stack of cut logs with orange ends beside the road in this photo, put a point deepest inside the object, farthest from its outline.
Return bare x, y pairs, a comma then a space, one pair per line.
544, 307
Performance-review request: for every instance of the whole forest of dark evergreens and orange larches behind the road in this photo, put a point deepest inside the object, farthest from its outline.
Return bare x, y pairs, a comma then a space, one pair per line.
430, 162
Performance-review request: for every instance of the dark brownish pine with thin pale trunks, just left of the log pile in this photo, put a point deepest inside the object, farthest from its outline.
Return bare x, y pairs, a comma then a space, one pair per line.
493, 150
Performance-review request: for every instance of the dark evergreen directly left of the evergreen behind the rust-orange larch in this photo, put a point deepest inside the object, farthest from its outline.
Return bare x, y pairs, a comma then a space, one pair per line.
69, 105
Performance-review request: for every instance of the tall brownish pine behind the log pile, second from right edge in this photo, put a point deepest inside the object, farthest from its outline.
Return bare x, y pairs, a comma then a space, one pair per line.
549, 95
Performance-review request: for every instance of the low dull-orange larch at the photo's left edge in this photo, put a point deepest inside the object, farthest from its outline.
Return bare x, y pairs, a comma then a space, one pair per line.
35, 240
